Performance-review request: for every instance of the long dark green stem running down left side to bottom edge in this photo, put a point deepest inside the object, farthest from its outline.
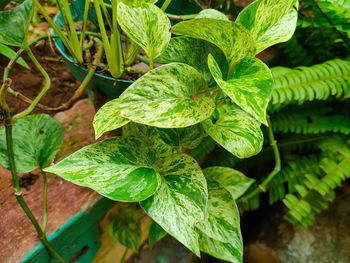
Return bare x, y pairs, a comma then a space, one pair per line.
18, 193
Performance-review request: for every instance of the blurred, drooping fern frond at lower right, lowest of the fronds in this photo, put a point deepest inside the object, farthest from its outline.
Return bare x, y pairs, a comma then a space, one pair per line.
315, 193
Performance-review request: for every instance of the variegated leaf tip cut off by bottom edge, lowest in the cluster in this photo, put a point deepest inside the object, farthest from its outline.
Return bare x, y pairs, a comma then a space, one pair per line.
221, 250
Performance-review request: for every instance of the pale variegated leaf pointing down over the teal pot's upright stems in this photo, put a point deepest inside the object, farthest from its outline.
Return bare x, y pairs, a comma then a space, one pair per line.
146, 25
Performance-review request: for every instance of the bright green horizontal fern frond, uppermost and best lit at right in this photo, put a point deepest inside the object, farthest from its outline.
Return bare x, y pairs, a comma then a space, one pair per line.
318, 82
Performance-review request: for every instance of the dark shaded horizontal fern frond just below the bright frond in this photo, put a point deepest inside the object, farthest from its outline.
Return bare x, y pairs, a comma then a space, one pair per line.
305, 122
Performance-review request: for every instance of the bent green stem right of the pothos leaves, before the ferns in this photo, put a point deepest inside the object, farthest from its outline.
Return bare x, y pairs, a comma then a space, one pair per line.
275, 171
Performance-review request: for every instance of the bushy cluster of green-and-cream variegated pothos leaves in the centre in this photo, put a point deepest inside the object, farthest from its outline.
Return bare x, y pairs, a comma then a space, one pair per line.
212, 86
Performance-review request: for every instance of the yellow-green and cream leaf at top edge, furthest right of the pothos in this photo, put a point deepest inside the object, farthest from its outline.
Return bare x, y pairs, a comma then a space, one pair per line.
268, 21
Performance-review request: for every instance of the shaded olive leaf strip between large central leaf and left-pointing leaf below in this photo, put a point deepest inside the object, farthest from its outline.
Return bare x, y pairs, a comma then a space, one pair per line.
150, 136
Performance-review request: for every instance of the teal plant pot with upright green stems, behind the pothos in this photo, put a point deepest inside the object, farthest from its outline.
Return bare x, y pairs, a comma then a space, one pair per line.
107, 86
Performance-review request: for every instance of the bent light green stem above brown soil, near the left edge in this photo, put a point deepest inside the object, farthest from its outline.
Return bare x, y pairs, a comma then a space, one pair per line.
42, 92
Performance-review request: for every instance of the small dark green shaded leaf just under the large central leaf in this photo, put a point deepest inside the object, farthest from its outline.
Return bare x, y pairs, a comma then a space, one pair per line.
189, 137
